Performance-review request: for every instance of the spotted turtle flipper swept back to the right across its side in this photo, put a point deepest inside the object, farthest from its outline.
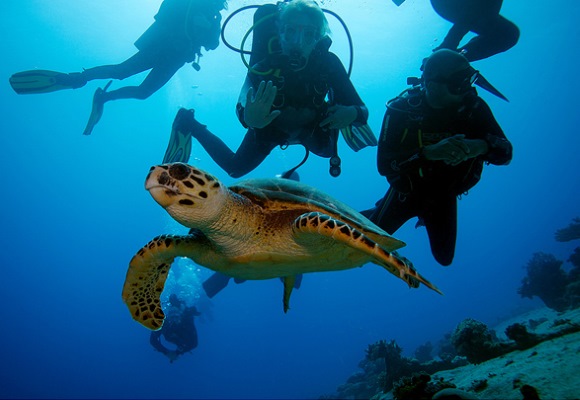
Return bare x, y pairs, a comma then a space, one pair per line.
322, 224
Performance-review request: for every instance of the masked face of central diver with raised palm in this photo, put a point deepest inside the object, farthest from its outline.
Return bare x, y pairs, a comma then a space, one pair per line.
298, 38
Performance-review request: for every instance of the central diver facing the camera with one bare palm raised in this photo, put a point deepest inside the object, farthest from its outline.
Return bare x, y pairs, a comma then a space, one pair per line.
298, 92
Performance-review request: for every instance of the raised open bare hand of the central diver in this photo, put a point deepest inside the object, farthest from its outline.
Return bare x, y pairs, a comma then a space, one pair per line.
257, 113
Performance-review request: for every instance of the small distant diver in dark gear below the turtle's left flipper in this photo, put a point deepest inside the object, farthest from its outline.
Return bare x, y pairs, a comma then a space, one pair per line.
178, 328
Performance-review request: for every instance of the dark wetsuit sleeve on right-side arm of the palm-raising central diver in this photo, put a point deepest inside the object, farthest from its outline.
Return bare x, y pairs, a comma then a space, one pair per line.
343, 90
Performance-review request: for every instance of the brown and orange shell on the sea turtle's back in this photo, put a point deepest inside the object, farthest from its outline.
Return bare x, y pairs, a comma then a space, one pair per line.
275, 194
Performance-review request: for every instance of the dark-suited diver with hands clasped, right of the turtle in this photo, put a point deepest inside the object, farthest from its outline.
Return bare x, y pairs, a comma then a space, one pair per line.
434, 141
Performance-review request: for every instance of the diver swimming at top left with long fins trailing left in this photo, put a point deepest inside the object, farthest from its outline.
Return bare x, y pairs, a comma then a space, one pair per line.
180, 29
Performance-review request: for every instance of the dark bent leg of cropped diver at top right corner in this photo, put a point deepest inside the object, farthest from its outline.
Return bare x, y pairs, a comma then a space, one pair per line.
493, 37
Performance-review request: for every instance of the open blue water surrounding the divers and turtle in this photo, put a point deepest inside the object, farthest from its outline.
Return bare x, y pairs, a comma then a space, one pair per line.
74, 210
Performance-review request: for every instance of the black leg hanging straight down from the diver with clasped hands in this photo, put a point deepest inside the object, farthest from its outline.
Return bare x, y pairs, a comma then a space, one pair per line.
440, 218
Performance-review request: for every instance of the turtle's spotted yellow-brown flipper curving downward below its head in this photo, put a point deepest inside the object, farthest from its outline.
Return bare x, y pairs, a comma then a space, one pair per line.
148, 271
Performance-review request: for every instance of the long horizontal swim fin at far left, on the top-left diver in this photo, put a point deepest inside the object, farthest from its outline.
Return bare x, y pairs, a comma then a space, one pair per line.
44, 81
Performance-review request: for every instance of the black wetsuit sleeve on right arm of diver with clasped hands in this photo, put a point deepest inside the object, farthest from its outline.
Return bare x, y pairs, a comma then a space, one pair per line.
500, 148
